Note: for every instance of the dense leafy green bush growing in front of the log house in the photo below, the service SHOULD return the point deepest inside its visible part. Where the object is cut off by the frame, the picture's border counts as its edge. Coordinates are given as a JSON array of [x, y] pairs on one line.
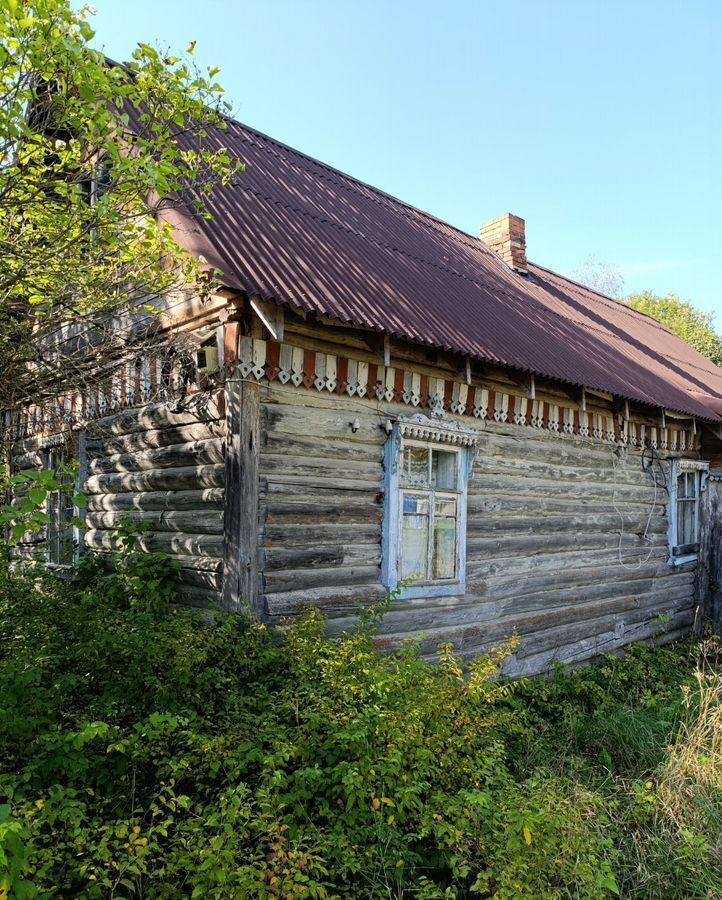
[[146, 753]]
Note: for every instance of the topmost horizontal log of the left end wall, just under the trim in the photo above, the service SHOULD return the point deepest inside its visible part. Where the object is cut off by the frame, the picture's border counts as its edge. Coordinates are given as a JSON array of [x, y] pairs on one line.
[[197, 408]]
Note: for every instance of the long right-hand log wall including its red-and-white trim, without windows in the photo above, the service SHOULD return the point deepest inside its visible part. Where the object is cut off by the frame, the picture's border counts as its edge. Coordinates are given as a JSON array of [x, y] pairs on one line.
[[545, 506]]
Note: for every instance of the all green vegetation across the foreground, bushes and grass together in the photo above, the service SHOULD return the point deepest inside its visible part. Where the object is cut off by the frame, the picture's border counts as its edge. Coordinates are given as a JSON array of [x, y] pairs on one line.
[[147, 753]]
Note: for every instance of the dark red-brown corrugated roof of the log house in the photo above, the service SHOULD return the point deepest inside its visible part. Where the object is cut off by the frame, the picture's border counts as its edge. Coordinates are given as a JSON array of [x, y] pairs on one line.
[[305, 235]]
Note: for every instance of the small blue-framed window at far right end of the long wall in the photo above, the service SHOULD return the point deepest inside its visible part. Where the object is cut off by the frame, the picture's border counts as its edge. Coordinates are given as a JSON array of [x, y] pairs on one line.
[[687, 480]]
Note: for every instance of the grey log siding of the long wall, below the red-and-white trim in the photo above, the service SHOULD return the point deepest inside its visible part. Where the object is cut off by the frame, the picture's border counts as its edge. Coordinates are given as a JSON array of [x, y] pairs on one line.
[[543, 547]]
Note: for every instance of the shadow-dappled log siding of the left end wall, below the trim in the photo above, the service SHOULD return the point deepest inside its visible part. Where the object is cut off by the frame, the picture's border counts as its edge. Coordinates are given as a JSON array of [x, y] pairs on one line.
[[164, 467]]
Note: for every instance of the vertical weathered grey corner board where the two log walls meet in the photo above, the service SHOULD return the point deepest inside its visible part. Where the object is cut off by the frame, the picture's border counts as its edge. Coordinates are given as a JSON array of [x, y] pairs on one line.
[[240, 588]]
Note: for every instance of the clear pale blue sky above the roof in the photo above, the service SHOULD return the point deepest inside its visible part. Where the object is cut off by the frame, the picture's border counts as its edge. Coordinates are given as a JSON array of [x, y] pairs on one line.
[[598, 121]]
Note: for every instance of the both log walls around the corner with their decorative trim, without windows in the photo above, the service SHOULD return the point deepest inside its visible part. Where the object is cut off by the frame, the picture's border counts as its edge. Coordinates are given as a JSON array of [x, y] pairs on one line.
[[300, 483]]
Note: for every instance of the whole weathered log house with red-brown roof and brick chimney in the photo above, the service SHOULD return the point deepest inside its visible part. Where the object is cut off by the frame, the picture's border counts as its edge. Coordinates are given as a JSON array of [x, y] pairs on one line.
[[381, 400]]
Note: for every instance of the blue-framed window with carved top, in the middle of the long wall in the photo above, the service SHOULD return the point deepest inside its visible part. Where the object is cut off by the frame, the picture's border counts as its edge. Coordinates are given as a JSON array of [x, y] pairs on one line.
[[427, 470]]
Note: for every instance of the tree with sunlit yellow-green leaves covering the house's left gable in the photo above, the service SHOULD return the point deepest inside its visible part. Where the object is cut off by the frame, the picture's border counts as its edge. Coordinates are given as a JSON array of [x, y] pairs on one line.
[[93, 158]]
